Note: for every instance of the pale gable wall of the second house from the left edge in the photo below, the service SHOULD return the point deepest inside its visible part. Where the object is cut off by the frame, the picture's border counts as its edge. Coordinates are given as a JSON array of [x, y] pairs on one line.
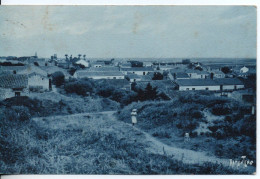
[[38, 81]]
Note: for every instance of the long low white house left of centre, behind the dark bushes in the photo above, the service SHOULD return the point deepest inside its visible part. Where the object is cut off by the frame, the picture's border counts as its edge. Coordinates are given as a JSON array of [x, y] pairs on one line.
[[99, 75]]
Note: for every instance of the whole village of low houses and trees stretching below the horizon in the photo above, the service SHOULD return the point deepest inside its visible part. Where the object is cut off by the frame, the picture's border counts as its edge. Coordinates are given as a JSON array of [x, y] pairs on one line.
[[24, 75]]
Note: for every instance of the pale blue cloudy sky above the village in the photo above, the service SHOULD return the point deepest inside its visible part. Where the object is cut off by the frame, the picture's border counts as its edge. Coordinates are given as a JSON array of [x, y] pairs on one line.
[[129, 31]]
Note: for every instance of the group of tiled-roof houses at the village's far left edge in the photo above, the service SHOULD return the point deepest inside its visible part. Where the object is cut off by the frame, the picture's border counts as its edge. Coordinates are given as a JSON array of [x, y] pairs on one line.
[[19, 80]]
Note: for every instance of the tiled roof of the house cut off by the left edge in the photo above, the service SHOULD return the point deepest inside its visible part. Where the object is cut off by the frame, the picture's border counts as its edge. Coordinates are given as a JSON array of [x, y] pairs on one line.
[[13, 81]]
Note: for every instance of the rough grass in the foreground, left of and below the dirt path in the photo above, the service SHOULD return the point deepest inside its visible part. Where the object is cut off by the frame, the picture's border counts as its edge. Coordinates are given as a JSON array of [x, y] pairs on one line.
[[83, 148]]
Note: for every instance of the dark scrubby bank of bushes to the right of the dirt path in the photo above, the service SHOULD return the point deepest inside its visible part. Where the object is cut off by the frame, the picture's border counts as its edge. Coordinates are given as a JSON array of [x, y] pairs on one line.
[[231, 135]]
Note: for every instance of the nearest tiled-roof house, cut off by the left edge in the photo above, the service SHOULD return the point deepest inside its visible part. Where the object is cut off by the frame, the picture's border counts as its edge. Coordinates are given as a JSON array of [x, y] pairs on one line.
[[13, 85]]
